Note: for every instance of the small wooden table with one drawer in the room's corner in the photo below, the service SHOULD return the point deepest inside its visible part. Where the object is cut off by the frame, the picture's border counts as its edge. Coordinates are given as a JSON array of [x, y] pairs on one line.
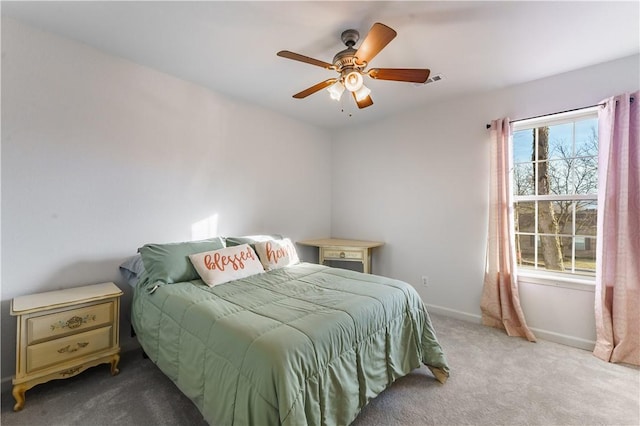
[[344, 250]]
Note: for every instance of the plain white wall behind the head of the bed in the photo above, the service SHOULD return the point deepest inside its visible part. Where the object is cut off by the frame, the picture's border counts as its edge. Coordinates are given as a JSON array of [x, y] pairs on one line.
[[100, 156]]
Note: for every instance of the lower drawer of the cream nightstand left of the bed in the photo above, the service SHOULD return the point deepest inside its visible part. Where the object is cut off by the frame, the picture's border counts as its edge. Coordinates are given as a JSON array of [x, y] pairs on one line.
[[66, 348]]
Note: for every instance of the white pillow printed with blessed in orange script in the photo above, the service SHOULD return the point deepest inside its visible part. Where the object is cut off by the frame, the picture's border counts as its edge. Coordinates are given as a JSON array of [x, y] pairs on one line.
[[227, 264]]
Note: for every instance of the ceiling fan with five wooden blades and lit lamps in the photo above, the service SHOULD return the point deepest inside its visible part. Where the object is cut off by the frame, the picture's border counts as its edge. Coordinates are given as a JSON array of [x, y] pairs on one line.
[[350, 64]]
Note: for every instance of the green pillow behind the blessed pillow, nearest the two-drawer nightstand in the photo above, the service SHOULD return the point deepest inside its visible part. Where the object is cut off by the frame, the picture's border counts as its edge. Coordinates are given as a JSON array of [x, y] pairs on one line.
[[169, 263]]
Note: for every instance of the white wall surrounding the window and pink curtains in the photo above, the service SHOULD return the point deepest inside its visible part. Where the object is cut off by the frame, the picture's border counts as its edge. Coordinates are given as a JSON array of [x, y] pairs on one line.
[[419, 182]]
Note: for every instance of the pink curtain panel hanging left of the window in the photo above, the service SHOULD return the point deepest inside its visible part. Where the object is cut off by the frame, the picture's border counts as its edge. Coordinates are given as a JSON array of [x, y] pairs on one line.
[[500, 303]]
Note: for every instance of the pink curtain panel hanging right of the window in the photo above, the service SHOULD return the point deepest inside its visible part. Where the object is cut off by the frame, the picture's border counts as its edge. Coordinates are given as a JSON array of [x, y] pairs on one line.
[[617, 304]]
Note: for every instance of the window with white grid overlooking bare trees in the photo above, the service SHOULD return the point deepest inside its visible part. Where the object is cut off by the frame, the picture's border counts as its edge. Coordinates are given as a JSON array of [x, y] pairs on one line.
[[555, 185]]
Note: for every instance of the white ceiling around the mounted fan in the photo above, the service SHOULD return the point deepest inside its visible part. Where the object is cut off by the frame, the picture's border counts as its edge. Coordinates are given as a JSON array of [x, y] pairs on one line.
[[230, 47]]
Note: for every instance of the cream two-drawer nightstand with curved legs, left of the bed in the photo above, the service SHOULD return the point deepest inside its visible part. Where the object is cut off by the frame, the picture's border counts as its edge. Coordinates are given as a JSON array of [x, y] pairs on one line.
[[62, 333]]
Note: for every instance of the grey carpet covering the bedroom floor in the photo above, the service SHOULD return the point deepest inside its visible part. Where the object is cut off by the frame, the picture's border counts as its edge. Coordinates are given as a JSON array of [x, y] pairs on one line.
[[495, 380]]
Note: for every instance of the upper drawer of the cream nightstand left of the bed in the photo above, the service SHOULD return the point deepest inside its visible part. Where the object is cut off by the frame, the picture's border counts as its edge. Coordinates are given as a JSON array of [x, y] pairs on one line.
[[72, 321]]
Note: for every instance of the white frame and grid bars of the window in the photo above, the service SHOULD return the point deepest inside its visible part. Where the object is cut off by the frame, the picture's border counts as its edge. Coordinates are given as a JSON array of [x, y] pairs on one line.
[[538, 275]]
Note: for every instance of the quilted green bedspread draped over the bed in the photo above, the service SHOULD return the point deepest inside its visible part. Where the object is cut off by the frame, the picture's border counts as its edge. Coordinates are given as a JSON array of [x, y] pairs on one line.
[[306, 344]]
